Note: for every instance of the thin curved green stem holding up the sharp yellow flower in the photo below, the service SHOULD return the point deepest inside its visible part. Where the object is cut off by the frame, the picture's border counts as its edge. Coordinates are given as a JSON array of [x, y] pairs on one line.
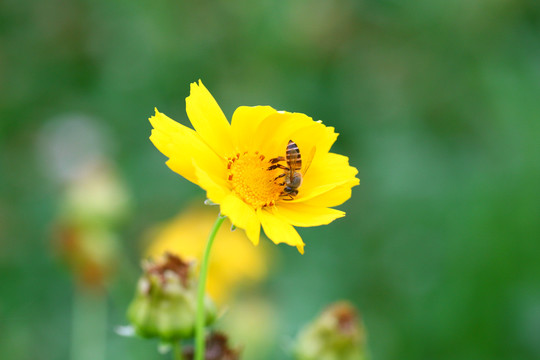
[[199, 327]]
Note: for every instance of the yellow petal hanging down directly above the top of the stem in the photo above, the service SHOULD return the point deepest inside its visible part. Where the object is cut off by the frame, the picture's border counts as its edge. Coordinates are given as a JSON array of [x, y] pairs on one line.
[[242, 216]]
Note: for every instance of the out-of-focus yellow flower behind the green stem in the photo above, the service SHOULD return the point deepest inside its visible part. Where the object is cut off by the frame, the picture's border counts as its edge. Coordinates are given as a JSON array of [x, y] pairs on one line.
[[233, 262]]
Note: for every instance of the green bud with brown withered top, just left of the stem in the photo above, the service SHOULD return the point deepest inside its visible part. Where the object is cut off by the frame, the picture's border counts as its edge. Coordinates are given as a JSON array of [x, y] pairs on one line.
[[165, 303]]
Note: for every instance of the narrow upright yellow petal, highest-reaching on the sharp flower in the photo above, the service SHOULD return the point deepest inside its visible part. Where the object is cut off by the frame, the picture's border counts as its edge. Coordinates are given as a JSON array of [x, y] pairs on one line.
[[208, 120]]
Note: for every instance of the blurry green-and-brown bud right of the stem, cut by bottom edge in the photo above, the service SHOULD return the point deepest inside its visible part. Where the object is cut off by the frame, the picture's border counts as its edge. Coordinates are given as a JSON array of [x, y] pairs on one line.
[[336, 334]]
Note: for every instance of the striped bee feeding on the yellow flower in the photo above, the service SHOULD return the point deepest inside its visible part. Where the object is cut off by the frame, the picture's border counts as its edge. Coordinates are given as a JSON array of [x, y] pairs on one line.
[[293, 173]]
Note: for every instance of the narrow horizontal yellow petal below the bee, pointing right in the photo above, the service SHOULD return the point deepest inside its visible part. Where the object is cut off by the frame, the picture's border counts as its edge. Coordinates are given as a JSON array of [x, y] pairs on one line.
[[300, 214]]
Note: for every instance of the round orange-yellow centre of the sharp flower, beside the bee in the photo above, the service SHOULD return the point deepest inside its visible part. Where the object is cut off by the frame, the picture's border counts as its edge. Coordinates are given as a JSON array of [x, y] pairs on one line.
[[252, 181]]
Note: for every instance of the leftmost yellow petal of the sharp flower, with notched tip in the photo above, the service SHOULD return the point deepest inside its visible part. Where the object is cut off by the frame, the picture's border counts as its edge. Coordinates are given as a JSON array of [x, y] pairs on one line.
[[181, 145]]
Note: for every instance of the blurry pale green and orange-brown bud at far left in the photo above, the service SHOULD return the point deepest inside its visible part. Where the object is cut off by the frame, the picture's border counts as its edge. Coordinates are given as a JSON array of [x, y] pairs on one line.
[[84, 233]]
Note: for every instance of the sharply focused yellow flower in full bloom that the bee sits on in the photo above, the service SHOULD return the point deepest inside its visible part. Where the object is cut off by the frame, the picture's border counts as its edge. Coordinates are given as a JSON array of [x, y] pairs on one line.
[[231, 162]]
